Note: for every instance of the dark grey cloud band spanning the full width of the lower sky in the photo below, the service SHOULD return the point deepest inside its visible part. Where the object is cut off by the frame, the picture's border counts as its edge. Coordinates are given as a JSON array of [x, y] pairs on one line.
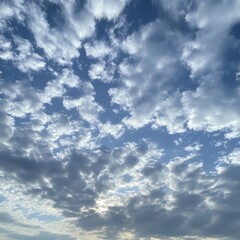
[[191, 202]]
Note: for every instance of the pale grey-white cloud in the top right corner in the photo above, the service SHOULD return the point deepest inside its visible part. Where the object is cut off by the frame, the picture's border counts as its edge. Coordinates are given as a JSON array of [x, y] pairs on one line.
[[213, 34]]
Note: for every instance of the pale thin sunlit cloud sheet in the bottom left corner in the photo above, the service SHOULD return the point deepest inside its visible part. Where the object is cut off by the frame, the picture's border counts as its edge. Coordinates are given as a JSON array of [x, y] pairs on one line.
[[22, 213]]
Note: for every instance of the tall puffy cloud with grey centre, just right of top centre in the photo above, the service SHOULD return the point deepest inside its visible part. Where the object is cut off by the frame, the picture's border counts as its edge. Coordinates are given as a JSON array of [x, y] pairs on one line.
[[146, 90]]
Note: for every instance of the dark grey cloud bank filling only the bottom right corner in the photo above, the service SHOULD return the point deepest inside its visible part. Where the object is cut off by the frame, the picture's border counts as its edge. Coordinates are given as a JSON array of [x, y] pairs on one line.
[[193, 205]]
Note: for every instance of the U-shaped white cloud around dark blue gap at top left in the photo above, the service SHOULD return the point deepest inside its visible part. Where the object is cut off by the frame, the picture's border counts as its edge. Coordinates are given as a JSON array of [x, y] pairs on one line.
[[63, 44]]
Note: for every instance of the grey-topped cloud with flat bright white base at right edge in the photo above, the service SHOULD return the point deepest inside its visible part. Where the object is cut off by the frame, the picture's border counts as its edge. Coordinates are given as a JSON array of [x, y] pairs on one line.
[[211, 107]]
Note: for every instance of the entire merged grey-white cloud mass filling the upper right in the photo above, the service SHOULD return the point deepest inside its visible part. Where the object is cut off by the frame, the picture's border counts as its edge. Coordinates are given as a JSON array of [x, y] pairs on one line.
[[157, 62]]
